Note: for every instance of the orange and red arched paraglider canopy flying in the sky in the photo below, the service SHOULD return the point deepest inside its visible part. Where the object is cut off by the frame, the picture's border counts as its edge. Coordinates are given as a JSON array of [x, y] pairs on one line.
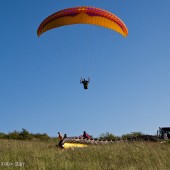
[[83, 15]]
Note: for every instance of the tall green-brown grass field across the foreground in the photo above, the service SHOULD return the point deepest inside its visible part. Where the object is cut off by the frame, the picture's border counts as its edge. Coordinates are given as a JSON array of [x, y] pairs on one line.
[[34, 155]]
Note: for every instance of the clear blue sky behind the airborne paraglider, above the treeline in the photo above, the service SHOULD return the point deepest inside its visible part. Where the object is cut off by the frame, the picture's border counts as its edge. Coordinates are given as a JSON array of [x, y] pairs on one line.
[[130, 77]]
